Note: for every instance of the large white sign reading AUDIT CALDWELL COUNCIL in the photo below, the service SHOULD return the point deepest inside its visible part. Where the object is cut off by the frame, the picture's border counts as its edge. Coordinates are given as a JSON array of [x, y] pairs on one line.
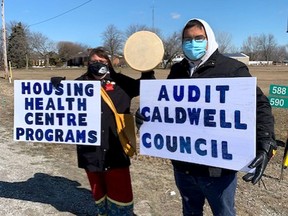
[[203, 121]]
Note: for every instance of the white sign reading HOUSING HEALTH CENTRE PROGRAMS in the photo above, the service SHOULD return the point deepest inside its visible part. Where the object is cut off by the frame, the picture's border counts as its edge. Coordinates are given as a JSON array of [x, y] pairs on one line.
[[70, 113]]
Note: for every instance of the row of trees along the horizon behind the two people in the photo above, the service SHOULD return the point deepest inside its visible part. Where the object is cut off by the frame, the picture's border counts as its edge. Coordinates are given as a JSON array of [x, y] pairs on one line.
[[25, 47]]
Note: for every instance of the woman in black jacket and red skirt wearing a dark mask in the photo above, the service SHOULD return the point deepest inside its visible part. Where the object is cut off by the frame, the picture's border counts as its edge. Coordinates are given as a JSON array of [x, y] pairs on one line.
[[107, 166]]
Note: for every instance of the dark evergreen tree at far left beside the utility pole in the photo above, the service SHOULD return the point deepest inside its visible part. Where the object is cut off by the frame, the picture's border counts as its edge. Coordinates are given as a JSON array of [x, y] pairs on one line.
[[17, 46]]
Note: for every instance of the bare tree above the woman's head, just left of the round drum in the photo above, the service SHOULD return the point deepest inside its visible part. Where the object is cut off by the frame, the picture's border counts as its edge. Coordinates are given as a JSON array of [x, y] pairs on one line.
[[112, 40]]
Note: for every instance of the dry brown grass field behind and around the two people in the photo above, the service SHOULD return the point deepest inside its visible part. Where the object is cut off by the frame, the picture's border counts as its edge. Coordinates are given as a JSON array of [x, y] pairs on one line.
[[153, 178]]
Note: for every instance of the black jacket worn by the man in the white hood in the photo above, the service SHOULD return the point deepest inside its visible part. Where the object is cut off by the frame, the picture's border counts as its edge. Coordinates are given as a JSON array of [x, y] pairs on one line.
[[217, 66]]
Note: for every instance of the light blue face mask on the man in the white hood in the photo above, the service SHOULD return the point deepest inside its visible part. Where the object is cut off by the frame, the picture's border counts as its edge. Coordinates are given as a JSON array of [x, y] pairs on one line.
[[194, 49]]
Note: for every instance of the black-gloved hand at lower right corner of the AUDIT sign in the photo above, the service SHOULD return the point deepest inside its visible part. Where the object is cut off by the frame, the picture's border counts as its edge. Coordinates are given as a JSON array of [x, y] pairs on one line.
[[261, 160]]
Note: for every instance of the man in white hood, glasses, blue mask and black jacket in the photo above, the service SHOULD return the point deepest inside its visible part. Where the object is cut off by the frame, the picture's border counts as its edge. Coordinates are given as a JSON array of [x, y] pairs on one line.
[[199, 182]]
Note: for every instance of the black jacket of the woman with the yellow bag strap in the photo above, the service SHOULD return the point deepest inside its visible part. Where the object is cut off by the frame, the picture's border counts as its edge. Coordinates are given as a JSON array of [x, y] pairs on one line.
[[110, 154]]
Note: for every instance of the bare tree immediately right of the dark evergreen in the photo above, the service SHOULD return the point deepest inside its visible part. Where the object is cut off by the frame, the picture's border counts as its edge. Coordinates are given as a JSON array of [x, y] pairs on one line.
[[41, 45]]
